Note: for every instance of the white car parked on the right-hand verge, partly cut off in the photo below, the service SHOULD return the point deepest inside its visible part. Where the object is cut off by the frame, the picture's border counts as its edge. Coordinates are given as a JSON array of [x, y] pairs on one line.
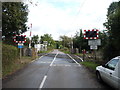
[[110, 72]]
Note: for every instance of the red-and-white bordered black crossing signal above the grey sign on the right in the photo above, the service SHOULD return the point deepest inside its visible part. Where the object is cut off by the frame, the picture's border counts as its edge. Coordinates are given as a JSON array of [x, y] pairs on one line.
[[91, 34]]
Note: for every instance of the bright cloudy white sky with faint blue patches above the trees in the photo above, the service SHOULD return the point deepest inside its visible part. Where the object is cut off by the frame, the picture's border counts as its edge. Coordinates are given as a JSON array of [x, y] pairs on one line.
[[66, 17]]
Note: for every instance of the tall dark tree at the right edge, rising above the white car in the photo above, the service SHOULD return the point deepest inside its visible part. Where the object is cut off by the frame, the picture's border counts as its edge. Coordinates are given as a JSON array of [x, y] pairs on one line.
[[112, 48]]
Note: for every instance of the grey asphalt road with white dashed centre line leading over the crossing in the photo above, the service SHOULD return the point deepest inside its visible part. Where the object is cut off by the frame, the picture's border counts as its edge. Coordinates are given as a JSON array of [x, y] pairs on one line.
[[53, 70]]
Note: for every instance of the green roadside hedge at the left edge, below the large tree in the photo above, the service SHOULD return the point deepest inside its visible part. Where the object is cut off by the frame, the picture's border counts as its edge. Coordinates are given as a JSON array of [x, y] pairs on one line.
[[9, 54]]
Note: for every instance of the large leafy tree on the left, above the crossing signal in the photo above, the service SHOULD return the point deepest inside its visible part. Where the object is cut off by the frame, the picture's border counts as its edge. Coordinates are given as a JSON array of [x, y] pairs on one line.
[[14, 17]]
